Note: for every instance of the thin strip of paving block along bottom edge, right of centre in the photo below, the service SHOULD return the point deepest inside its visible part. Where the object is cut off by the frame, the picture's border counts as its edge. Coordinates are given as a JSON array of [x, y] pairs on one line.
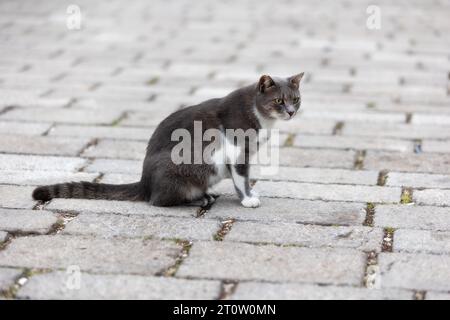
[[294, 291]]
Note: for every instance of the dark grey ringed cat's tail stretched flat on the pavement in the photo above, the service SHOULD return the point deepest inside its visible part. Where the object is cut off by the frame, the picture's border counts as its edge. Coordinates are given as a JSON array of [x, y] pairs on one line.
[[89, 190]]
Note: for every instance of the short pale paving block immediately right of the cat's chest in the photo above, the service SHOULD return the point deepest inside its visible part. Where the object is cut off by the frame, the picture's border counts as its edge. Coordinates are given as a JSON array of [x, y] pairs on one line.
[[319, 158]]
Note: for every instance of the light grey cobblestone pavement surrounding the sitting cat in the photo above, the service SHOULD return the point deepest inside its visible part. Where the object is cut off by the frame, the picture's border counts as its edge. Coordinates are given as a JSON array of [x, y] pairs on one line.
[[359, 210]]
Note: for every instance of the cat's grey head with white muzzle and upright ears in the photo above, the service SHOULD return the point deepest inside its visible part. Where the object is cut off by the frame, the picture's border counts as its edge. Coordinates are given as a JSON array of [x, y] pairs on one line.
[[278, 98]]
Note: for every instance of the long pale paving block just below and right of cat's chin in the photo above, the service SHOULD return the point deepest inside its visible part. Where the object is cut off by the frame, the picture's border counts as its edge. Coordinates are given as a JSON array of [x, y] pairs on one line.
[[362, 143]]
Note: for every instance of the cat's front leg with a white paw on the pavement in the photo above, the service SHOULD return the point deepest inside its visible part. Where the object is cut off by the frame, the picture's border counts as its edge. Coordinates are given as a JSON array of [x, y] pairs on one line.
[[240, 175]]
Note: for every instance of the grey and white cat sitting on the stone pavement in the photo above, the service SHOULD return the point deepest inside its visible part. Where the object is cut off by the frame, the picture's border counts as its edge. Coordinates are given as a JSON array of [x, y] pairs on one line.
[[165, 183]]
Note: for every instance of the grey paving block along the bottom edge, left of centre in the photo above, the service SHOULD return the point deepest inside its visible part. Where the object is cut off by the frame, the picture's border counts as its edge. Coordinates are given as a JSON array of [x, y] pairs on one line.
[[117, 287]]
